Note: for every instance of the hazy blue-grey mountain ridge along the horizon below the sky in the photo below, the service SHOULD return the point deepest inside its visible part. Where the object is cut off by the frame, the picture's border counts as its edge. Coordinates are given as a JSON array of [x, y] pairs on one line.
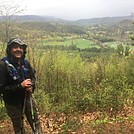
[[92, 21]]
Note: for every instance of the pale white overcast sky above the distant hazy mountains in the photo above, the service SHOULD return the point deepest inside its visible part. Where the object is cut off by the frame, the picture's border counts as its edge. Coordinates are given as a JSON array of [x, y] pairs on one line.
[[78, 9]]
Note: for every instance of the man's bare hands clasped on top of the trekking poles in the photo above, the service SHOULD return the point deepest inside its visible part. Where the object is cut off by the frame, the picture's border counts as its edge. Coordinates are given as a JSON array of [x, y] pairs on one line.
[[27, 84]]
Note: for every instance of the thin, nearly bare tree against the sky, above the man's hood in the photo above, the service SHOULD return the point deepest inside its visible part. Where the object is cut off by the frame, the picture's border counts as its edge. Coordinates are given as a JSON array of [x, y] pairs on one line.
[[8, 17]]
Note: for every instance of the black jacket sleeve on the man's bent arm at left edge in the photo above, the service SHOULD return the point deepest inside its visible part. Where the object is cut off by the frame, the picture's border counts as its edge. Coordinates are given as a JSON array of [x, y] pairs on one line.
[[4, 87]]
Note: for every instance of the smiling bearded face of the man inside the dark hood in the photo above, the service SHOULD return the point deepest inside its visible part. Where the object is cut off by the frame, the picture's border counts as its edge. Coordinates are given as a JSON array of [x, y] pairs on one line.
[[17, 51]]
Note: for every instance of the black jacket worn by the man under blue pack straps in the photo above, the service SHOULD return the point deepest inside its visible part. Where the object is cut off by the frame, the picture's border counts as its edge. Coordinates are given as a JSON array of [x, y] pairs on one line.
[[12, 91]]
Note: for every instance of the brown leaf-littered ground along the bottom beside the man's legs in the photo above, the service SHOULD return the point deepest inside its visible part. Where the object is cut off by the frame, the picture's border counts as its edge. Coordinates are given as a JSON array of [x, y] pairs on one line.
[[79, 123]]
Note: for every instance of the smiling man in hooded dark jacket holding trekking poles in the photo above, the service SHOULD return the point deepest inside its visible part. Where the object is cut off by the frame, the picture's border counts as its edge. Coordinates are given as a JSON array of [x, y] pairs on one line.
[[17, 84]]
